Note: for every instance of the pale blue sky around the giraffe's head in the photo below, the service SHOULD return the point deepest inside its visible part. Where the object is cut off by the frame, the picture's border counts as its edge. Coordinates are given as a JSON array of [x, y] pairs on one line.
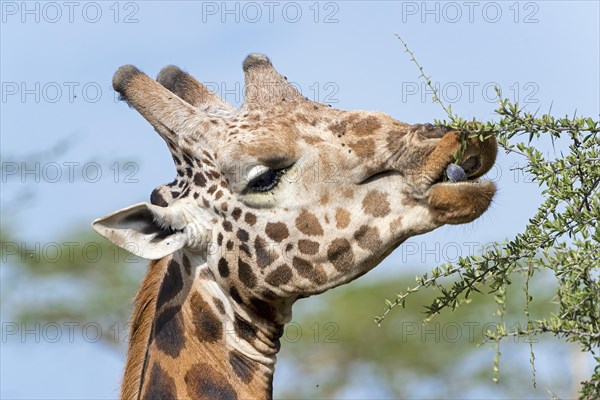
[[542, 54]]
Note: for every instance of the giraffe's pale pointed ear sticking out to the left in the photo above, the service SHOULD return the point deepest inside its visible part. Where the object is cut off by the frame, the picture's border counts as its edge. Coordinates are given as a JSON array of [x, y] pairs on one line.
[[136, 230]]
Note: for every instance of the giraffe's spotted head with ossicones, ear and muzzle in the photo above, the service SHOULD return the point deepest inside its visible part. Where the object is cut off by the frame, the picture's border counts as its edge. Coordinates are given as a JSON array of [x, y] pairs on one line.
[[284, 197]]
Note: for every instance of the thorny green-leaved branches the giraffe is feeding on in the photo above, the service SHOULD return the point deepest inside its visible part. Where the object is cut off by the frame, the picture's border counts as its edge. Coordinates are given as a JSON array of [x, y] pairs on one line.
[[562, 237]]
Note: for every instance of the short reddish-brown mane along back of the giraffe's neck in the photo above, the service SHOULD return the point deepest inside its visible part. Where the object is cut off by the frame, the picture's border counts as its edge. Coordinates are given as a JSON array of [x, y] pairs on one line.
[[140, 323]]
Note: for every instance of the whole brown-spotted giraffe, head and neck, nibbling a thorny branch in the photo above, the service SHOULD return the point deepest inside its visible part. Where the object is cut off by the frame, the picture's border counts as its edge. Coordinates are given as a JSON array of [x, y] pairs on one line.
[[281, 199]]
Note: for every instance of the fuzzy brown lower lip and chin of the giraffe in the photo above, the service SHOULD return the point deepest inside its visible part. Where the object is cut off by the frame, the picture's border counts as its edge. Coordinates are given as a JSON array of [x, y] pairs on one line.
[[460, 202]]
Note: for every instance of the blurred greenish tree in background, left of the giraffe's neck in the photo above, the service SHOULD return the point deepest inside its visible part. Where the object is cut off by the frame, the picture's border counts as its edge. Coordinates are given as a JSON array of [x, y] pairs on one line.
[[80, 278]]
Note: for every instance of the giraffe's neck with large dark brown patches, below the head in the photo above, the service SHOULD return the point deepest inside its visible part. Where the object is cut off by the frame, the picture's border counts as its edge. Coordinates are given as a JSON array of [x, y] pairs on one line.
[[196, 343]]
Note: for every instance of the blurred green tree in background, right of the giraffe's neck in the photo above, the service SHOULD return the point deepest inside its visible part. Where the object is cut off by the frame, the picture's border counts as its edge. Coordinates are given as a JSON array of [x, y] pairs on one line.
[[335, 347]]
